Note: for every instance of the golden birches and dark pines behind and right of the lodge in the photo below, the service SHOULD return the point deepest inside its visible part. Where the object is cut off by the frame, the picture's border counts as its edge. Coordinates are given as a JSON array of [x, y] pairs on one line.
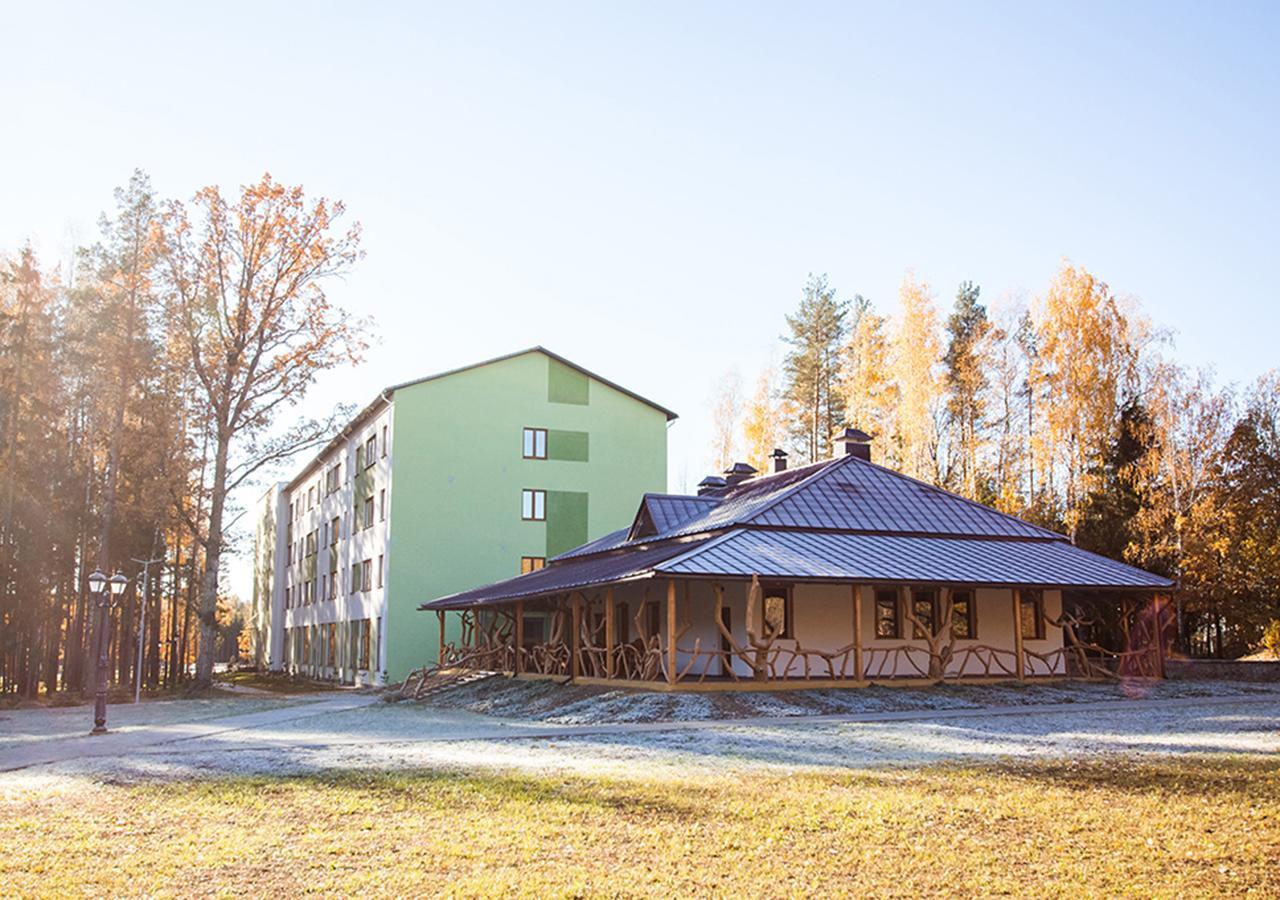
[[1069, 409]]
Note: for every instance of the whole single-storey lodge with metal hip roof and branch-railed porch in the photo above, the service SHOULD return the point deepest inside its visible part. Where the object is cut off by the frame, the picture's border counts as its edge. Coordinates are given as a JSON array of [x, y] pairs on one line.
[[838, 574]]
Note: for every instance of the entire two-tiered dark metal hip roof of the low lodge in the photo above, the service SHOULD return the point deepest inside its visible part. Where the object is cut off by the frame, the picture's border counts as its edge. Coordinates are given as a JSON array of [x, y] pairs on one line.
[[843, 520]]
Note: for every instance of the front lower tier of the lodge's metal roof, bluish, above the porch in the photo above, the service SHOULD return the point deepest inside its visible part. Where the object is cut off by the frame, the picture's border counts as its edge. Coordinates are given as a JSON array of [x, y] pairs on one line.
[[808, 556]]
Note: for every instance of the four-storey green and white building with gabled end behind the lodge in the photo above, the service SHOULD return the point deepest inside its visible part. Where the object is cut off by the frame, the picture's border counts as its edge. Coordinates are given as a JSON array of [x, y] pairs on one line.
[[442, 485]]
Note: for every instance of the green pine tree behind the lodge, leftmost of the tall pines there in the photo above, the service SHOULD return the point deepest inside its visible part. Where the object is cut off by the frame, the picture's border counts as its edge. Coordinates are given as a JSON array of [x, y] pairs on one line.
[[812, 368]]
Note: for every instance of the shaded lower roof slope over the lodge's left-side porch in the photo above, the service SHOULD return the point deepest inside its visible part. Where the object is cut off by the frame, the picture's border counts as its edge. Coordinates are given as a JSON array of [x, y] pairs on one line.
[[569, 575]]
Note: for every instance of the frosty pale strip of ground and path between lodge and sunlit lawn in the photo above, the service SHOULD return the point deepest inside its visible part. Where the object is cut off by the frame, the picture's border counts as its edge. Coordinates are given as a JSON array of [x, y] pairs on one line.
[[327, 733]]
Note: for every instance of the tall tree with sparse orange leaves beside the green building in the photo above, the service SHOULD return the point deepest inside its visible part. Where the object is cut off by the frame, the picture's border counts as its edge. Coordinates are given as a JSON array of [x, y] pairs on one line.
[[245, 291]]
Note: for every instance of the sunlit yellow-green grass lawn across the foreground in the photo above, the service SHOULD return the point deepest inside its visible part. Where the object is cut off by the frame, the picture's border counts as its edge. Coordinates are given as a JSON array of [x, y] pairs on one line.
[[1187, 826]]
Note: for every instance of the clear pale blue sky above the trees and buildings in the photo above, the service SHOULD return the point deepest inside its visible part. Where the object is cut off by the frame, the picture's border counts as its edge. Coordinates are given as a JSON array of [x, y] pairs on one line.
[[646, 189]]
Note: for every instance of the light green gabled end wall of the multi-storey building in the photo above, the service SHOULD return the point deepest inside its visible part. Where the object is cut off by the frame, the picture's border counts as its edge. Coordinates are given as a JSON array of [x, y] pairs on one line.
[[458, 474]]
